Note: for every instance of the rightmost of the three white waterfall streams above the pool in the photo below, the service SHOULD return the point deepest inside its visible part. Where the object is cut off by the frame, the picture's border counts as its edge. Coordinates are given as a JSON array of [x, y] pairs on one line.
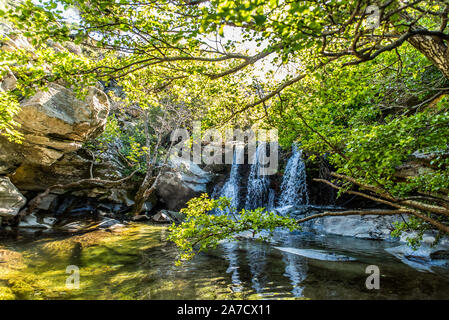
[[294, 185]]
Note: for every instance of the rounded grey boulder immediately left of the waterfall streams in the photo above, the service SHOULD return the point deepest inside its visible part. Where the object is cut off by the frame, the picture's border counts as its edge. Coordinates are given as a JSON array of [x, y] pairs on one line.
[[184, 181]]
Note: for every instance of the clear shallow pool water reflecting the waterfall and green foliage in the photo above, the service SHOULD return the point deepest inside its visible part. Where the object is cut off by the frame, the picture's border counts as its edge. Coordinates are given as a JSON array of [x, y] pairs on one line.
[[138, 263]]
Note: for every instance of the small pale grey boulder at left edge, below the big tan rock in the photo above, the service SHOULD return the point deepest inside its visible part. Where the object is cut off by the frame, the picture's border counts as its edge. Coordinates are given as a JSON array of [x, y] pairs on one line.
[[11, 200]]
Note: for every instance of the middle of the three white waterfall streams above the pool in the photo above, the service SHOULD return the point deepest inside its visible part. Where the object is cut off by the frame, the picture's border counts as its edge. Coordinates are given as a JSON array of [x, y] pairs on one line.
[[259, 193]]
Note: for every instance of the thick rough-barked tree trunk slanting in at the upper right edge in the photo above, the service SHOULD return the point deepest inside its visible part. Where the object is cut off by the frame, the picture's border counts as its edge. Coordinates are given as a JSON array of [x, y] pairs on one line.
[[434, 49]]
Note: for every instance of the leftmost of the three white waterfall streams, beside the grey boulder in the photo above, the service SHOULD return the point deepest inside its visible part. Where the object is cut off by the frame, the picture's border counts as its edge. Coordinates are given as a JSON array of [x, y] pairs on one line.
[[231, 188]]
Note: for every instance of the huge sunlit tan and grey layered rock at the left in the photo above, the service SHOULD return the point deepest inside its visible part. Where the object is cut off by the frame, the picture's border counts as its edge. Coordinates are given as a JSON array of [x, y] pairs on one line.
[[55, 122]]
